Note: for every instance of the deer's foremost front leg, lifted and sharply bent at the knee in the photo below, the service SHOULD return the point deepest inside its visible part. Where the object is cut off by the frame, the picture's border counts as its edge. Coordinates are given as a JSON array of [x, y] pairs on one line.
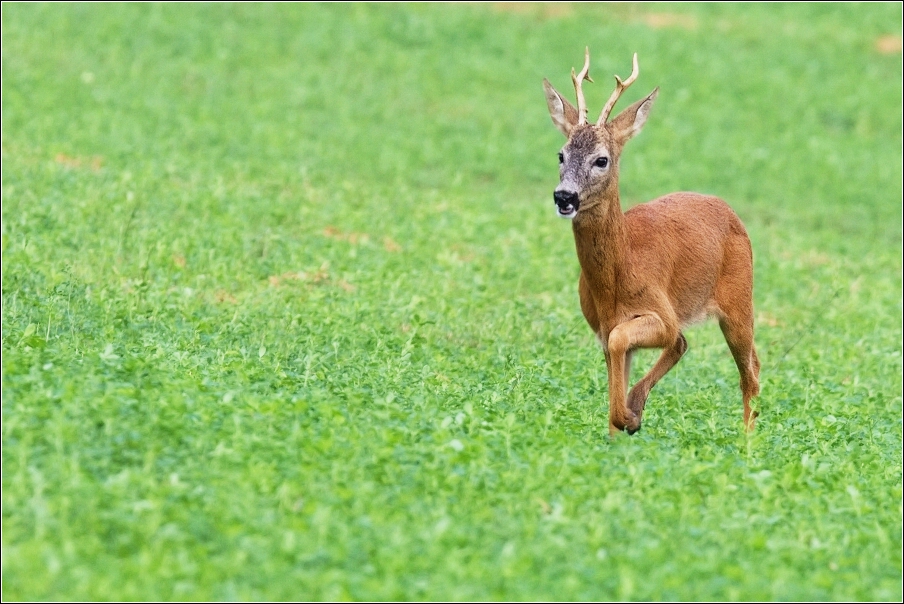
[[645, 331]]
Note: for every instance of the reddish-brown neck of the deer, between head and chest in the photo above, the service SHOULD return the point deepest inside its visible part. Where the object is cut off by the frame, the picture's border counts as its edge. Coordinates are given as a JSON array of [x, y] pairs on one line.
[[601, 238]]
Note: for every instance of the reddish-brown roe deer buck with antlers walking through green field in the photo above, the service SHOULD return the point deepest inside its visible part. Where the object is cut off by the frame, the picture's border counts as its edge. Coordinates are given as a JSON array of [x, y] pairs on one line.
[[648, 273]]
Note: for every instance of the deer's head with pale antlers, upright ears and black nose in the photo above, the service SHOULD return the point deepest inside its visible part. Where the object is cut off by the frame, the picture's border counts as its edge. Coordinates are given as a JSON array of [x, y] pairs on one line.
[[588, 163]]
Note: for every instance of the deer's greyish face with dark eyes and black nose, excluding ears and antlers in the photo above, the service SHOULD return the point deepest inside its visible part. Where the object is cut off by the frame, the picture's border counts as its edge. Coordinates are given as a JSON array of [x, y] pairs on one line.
[[586, 164]]
